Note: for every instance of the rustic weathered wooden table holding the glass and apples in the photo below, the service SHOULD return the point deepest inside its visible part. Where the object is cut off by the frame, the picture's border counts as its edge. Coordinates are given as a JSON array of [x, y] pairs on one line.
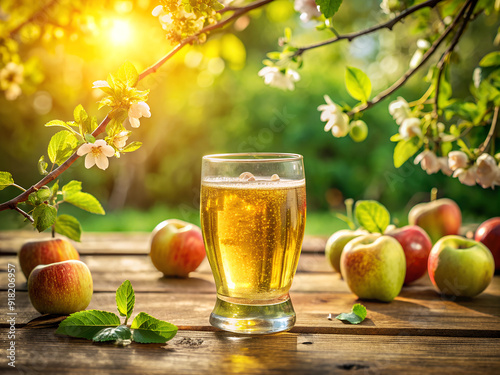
[[419, 332]]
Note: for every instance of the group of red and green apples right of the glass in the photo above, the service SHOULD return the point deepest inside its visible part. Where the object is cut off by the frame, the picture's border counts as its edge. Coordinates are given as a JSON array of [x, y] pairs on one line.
[[377, 259]]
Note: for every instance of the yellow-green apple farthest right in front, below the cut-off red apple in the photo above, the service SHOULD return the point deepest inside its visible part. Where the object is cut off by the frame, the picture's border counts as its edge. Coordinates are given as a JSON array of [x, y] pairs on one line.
[[460, 267]]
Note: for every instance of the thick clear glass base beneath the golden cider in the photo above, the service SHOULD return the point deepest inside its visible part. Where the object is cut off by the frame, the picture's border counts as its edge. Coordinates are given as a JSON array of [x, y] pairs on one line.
[[253, 319]]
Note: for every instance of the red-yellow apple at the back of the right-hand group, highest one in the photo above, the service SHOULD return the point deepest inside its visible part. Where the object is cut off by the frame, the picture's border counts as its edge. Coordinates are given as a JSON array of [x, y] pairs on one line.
[[438, 218]]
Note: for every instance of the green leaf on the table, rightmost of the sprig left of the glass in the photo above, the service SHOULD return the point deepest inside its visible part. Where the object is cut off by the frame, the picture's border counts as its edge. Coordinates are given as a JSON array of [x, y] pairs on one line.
[[148, 329]]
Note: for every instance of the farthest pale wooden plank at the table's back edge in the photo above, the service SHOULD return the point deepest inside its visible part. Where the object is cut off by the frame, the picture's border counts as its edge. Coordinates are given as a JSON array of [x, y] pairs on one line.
[[115, 242]]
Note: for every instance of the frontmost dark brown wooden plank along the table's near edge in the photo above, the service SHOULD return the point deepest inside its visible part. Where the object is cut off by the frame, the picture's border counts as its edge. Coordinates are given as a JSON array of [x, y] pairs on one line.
[[190, 352]]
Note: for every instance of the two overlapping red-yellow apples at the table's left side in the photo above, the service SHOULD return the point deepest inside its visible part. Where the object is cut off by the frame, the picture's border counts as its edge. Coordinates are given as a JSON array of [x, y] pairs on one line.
[[58, 282]]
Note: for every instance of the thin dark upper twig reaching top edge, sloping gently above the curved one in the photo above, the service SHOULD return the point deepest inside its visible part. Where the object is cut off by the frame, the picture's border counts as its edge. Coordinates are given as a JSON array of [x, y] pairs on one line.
[[386, 25]]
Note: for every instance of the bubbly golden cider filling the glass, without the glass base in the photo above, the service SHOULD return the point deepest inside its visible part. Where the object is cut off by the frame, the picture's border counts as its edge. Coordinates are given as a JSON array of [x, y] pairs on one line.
[[253, 234]]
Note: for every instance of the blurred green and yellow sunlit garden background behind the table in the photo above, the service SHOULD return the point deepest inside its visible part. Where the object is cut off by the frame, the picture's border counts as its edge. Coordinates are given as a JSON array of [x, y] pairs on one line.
[[209, 99]]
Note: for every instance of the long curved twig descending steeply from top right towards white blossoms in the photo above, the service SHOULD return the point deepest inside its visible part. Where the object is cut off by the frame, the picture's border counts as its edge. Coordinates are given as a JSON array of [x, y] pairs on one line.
[[382, 95]]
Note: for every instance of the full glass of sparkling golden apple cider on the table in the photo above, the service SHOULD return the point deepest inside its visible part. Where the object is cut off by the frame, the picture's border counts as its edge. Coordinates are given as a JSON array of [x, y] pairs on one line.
[[253, 213]]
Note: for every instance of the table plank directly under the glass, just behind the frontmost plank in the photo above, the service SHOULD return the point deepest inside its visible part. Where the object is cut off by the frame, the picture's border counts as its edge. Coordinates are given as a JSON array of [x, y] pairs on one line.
[[425, 314]]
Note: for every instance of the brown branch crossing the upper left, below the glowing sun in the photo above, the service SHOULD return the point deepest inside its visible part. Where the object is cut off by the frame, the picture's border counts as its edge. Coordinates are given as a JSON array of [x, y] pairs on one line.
[[12, 204]]
